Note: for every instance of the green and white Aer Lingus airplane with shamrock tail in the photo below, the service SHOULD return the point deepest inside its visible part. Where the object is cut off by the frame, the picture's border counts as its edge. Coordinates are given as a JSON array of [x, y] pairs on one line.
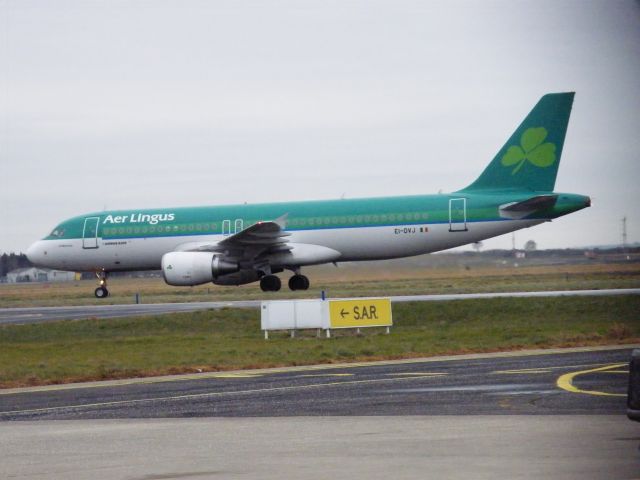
[[240, 244]]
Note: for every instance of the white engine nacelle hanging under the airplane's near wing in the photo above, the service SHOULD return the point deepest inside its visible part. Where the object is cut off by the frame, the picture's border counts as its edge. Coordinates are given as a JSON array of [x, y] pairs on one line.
[[194, 268]]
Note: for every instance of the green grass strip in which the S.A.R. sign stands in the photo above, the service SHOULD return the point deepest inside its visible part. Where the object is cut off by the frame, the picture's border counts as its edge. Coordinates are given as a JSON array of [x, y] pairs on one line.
[[230, 339]]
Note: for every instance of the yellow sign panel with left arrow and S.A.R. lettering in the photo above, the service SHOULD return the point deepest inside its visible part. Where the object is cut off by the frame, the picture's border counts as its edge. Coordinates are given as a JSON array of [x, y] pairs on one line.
[[362, 312]]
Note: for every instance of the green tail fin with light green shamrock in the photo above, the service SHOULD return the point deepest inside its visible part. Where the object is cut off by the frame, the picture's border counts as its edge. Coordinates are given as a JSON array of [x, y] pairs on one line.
[[530, 159]]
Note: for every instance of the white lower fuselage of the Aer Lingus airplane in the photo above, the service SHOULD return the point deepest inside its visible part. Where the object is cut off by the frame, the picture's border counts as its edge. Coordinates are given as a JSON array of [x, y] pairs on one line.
[[354, 244]]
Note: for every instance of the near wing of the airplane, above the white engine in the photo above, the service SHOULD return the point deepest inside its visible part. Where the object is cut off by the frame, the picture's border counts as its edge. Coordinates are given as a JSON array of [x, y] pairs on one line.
[[262, 238]]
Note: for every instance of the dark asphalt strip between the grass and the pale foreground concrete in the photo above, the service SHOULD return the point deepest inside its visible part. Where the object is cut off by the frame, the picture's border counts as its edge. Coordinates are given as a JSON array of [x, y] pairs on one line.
[[533, 383]]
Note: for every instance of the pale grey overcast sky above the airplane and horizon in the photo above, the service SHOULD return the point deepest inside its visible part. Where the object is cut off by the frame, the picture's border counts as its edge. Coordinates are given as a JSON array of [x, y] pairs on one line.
[[135, 104]]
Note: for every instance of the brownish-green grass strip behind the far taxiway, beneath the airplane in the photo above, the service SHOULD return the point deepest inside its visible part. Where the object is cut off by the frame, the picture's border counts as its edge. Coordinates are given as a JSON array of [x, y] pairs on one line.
[[346, 281]]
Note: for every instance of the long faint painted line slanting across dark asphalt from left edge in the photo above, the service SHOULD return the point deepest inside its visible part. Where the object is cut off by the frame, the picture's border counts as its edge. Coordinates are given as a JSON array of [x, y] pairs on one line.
[[205, 395]]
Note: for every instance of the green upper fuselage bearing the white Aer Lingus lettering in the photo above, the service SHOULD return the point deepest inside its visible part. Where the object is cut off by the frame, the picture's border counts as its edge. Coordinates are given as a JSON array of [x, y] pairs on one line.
[[310, 215]]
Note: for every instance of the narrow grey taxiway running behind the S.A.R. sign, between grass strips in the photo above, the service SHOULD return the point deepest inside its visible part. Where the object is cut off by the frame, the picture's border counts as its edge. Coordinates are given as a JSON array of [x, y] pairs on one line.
[[48, 314]]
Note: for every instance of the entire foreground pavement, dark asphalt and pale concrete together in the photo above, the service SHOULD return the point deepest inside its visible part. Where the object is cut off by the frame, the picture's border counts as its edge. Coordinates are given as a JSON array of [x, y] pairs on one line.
[[526, 415]]
